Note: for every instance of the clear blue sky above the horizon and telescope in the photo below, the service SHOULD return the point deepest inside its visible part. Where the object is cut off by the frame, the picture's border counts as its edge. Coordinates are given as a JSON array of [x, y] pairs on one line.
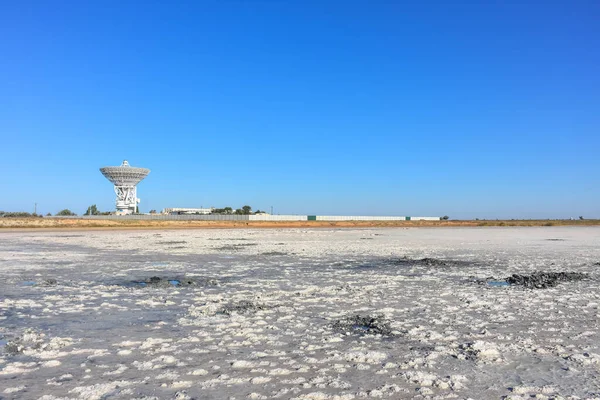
[[485, 109]]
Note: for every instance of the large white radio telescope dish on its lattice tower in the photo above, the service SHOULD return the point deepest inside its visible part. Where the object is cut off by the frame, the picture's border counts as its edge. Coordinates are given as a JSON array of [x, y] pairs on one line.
[[125, 178]]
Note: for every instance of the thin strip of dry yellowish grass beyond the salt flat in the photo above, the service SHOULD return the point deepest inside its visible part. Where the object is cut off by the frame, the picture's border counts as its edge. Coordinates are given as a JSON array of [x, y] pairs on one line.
[[57, 223]]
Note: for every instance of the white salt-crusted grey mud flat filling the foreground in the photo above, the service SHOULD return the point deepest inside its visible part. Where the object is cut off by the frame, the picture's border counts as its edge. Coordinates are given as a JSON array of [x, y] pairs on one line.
[[262, 314]]
